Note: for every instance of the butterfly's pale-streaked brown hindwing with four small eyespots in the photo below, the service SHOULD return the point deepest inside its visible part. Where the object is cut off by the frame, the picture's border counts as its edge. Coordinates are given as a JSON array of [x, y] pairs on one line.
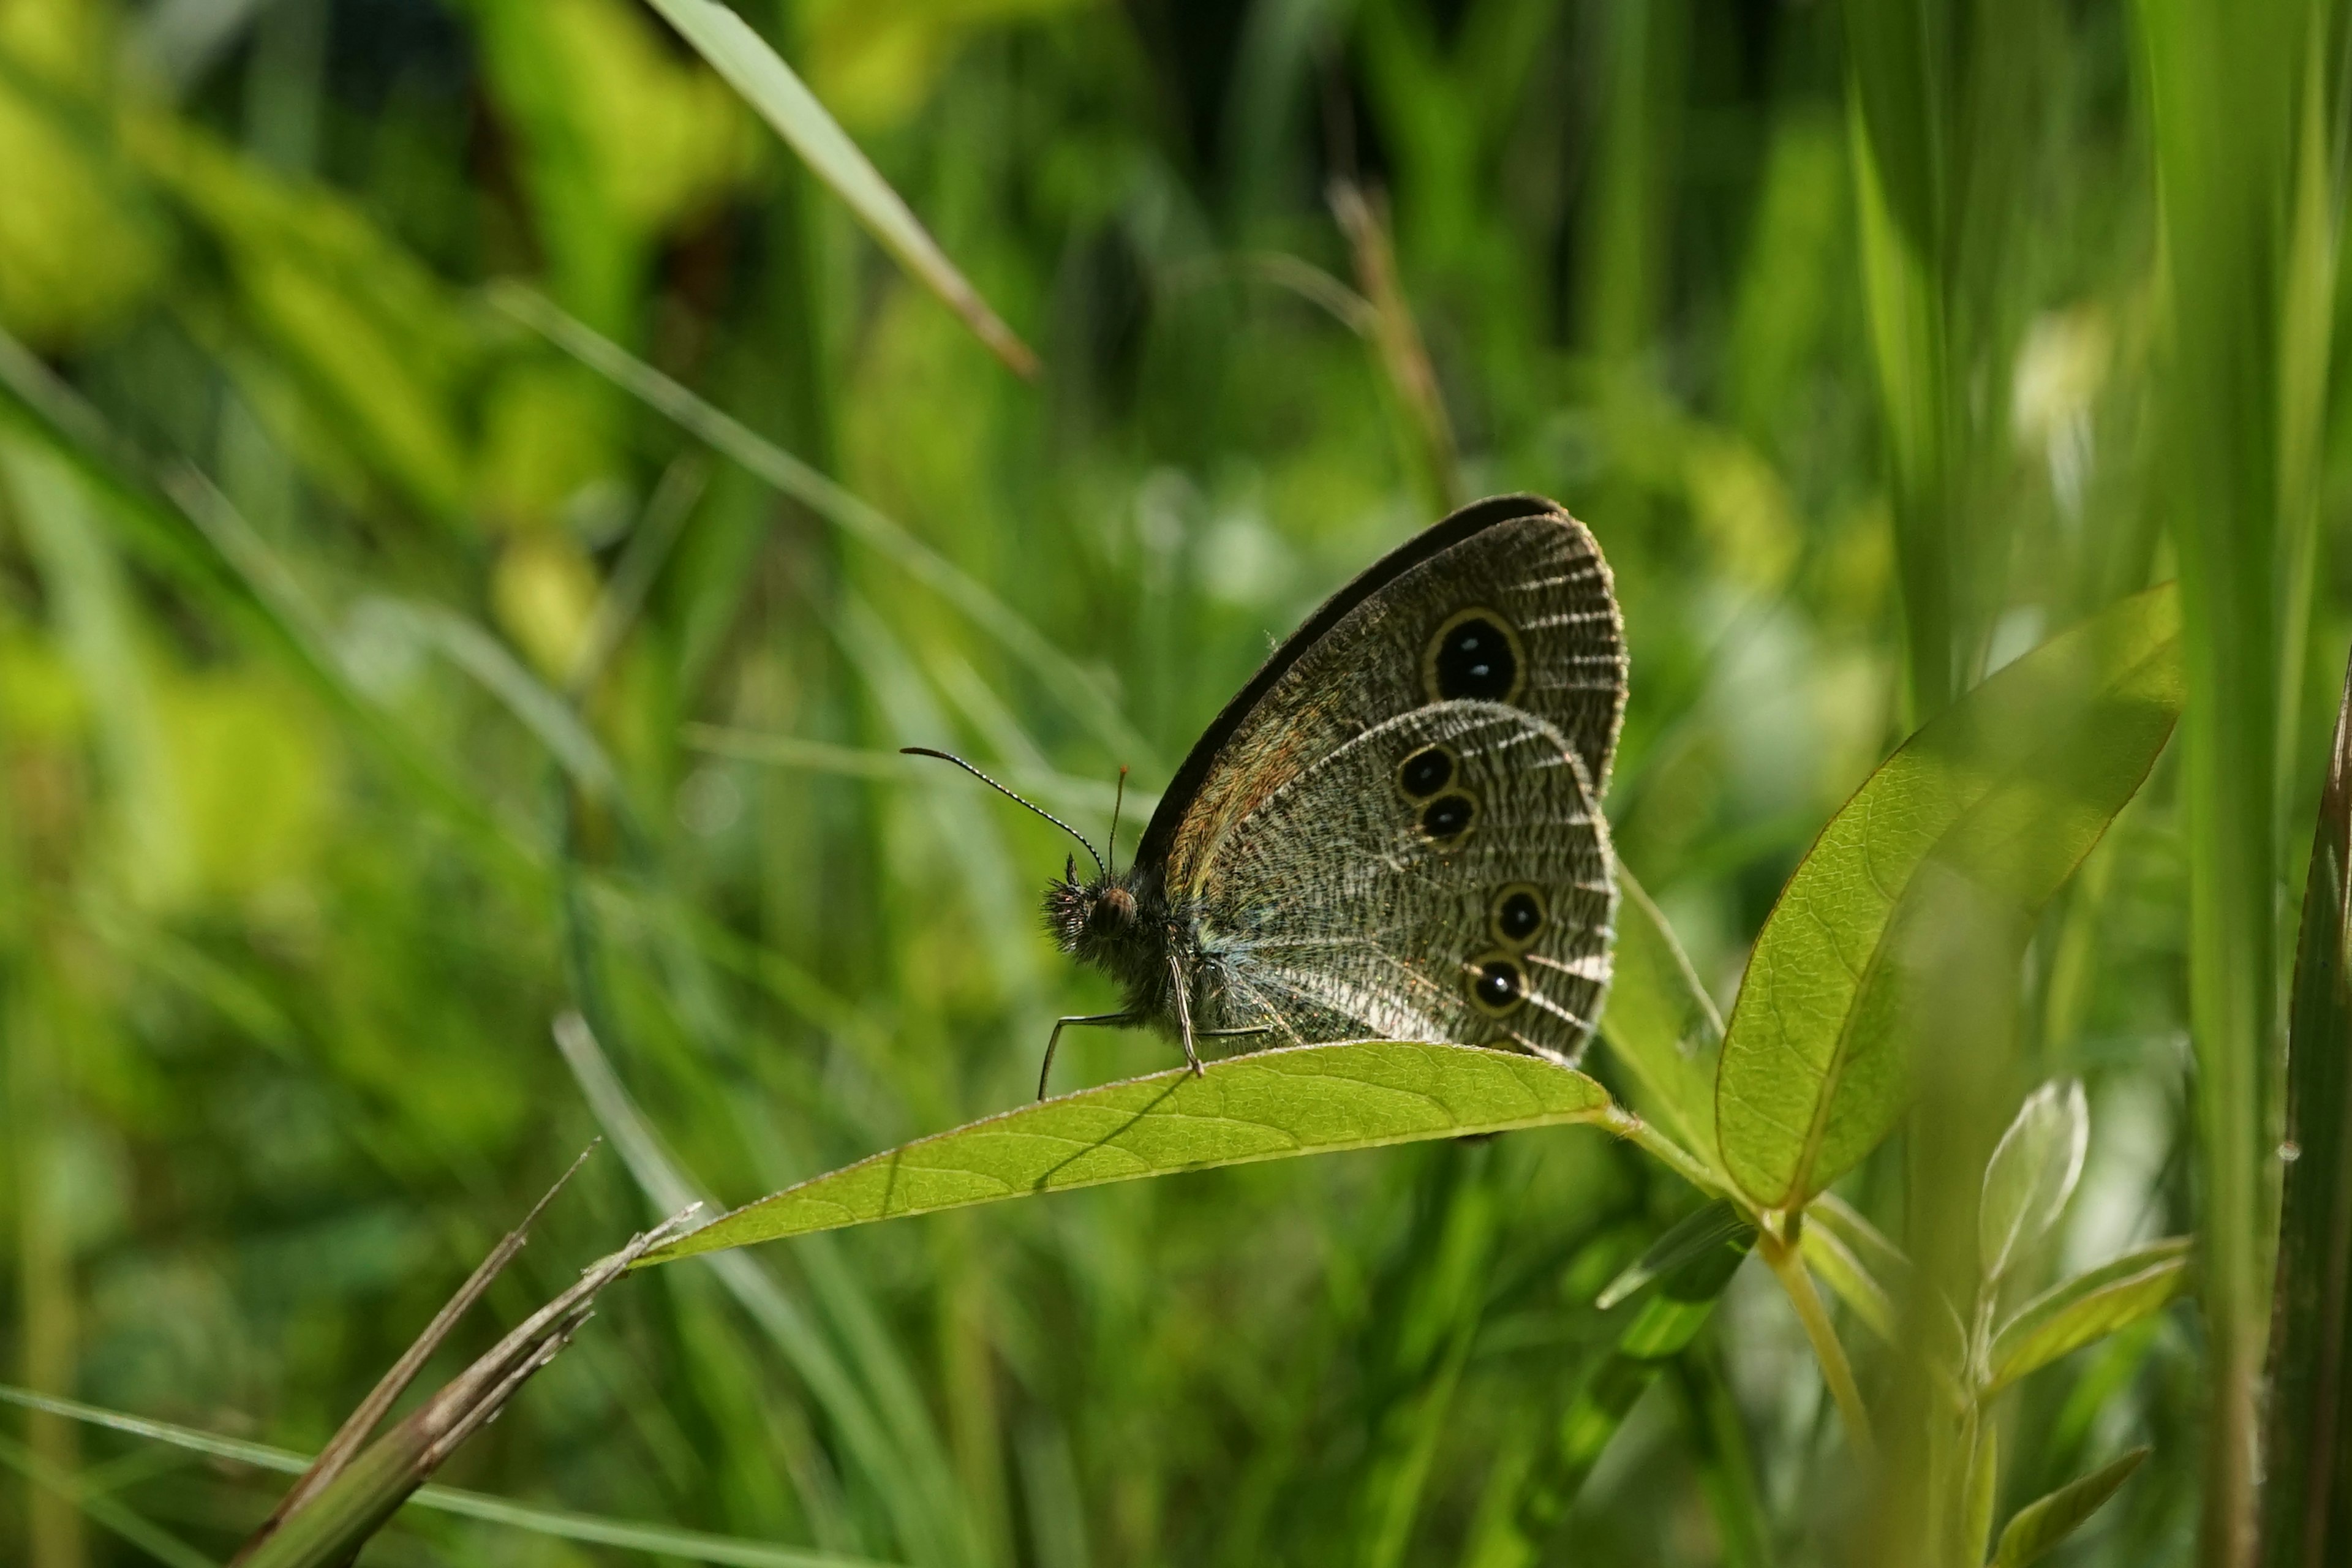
[[1443, 876]]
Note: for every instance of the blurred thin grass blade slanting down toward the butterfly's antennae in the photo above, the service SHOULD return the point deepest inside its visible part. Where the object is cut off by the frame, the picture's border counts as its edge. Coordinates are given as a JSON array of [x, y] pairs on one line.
[[728, 436]]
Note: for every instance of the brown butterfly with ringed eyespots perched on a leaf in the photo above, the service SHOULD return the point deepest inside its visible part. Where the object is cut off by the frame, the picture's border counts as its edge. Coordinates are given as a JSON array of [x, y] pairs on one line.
[[1394, 831]]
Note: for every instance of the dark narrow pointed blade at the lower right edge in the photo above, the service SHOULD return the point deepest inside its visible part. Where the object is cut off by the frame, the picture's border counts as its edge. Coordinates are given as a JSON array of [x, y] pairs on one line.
[[2308, 1485]]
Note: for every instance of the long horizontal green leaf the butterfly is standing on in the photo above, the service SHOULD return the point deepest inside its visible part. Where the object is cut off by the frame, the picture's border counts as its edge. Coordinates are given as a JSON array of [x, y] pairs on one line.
[[1245, 1108]]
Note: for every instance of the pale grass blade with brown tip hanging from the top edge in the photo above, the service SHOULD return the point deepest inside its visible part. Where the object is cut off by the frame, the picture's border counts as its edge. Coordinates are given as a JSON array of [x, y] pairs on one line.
[[756, 72]]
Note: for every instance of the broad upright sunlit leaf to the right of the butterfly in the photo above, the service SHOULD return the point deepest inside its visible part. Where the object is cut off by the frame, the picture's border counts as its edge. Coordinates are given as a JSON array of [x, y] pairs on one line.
[[1998, 800]]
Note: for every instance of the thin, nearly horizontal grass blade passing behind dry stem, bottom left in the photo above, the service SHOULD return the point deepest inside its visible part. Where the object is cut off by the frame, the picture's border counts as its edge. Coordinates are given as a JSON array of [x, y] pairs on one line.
[[561, 1525]]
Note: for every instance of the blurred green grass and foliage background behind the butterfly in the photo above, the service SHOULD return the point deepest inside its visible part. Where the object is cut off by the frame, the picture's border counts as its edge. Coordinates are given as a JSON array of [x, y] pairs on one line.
[[377, 683]]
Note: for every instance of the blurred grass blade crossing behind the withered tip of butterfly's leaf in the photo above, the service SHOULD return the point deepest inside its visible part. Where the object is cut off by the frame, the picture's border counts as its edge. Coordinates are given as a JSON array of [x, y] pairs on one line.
[[902, 1456]]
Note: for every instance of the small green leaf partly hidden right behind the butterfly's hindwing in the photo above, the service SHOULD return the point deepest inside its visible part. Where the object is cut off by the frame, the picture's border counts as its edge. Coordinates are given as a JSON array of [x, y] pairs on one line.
[[1662, 1026]]
